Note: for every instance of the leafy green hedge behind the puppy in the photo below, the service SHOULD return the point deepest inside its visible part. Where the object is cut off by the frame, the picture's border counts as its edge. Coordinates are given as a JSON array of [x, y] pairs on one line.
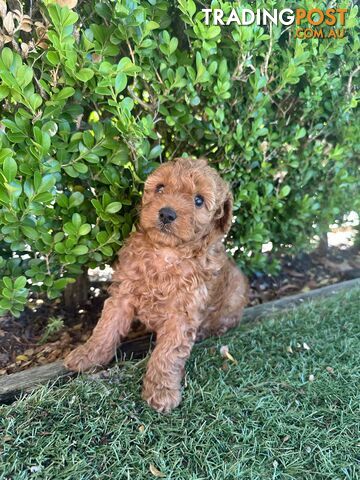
[[93, 99]]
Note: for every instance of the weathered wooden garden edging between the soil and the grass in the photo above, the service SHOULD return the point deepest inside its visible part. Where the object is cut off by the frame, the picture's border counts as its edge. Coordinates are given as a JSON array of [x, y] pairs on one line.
[[11, 386]]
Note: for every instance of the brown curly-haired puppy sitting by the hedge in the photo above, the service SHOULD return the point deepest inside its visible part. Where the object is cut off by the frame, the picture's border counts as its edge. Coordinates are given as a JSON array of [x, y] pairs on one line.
[[173, 275]]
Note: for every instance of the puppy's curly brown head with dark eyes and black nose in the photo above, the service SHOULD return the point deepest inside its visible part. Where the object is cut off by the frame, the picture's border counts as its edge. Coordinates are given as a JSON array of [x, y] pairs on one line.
[[185, 201]]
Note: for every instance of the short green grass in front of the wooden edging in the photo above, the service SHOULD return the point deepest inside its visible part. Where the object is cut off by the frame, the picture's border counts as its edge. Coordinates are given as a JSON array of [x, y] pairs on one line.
[[259, 419]]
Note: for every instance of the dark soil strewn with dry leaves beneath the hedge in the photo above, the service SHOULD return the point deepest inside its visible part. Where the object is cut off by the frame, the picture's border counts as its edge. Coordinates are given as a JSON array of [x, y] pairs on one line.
[[24, 342]]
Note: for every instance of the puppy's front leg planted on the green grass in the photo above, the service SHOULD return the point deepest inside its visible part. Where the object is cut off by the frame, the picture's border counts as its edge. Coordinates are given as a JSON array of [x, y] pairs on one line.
[[166, 366]]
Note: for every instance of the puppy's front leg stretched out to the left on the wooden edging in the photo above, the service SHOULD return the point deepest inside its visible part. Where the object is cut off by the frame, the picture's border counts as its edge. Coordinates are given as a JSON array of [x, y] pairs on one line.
[[113, 325]]
